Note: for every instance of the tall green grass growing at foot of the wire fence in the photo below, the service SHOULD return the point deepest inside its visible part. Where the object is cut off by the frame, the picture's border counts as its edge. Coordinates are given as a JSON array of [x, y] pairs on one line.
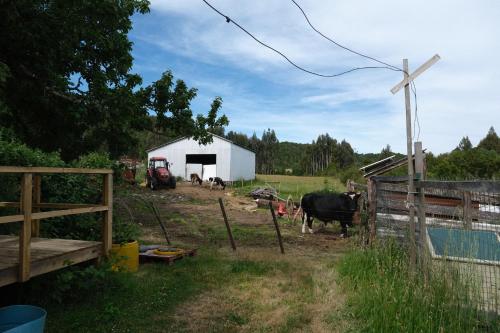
[[384, 296]]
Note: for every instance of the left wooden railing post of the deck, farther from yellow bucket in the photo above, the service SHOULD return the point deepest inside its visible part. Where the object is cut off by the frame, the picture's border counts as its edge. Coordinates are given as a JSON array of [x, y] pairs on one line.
[[25, 233]]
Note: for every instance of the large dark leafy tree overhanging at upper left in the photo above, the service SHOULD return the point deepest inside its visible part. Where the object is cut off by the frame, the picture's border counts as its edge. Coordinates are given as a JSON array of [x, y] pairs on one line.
[[65, 80]]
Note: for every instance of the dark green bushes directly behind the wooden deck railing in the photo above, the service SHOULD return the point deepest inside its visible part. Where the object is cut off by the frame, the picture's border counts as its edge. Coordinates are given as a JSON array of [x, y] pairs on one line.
[[59, 188]]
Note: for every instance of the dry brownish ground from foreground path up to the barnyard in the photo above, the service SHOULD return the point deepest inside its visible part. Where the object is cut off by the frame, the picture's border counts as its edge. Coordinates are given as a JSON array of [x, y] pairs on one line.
[[305, 297]]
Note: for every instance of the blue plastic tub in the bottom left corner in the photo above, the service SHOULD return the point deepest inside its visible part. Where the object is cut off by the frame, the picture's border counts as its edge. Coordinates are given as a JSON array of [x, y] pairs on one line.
[[22, 319]]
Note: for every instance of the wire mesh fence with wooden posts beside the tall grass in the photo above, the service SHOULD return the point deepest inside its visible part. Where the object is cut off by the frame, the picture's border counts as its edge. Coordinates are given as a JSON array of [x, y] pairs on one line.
[[456, 232]]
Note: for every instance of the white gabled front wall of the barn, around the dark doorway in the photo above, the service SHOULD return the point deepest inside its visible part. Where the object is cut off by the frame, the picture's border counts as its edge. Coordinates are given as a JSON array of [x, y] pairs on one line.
[[176, 155]]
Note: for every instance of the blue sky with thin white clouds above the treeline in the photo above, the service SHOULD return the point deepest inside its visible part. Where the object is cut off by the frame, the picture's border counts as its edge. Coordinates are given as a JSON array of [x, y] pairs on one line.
[[458, 96]]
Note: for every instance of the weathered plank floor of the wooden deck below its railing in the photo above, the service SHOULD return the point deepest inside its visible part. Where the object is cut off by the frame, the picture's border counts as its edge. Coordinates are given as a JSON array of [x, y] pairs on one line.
[[46, 255]]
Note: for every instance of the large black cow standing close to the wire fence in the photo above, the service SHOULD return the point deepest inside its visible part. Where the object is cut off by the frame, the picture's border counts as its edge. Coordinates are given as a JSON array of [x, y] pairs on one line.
[[328, 207]]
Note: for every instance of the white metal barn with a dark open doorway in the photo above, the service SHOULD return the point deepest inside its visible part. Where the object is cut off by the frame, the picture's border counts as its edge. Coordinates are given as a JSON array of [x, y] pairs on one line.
[[221, 158]]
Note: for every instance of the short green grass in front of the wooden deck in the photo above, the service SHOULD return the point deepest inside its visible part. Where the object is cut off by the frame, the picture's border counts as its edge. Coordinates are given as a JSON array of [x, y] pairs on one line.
[[147, 301]]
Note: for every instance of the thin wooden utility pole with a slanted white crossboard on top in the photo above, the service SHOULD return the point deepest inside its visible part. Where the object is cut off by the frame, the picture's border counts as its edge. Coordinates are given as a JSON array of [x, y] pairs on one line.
[[407, 79]]
